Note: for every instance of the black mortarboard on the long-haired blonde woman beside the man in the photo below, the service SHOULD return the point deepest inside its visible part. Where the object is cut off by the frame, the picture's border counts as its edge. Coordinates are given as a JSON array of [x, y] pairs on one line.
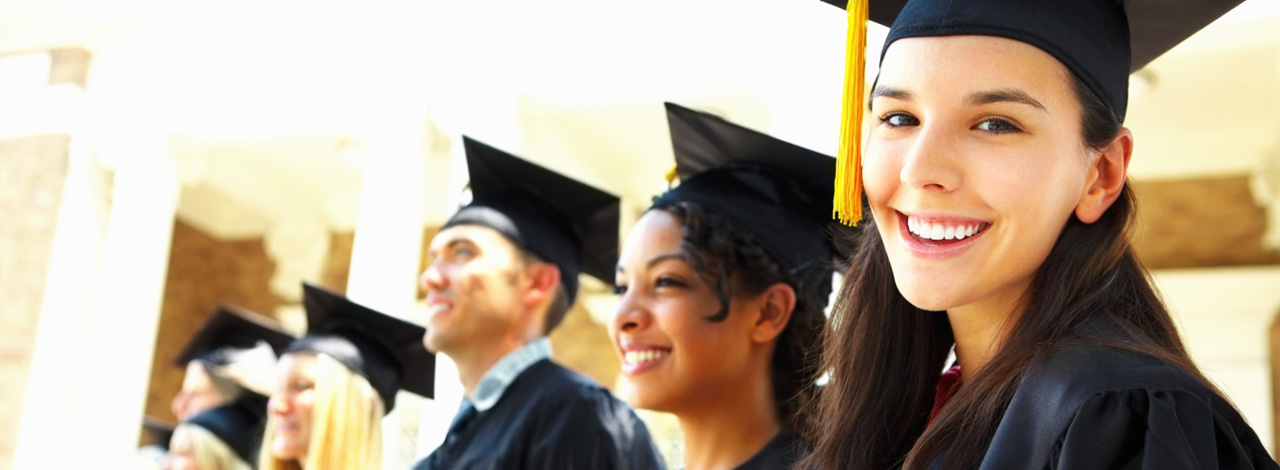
[[385, 350]]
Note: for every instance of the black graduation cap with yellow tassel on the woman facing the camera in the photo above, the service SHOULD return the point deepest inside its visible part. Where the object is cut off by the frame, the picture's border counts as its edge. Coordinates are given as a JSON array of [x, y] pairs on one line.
[[1100, 42]]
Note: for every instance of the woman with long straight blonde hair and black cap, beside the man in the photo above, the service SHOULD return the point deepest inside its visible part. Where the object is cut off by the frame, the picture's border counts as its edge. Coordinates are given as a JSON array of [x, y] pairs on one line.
[[335, 386]]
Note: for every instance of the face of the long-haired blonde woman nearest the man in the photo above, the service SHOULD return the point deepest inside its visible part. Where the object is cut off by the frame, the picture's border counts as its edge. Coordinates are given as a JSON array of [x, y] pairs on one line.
[[291, 407]]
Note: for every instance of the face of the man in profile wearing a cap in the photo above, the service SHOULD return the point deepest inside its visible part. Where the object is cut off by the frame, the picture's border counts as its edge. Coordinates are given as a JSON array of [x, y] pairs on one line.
[[473, 289]]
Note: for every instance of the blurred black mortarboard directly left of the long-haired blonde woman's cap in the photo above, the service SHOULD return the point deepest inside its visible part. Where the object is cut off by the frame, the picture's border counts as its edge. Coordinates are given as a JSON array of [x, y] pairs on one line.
[[231, 331]]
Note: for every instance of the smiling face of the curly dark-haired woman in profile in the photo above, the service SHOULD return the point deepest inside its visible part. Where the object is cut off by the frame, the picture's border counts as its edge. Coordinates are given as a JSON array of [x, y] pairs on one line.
[[673, 357]]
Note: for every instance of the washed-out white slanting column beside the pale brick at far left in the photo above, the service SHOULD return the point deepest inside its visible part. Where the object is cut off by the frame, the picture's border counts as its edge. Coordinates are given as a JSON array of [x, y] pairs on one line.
[[98, 325]]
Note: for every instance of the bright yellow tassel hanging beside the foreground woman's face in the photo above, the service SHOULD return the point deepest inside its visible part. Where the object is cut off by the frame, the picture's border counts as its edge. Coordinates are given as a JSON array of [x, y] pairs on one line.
[[849, 170]]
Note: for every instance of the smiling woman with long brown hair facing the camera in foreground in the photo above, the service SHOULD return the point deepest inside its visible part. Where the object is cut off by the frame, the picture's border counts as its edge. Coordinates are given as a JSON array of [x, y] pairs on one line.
[[995, 172]]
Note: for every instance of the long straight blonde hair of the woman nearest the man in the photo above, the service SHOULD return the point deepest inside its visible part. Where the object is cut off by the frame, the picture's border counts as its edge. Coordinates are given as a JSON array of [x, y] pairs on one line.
[[346, 423]]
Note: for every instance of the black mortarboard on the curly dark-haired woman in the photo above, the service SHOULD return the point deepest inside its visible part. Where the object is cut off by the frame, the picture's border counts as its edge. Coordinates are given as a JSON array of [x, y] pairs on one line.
[[776, 191]]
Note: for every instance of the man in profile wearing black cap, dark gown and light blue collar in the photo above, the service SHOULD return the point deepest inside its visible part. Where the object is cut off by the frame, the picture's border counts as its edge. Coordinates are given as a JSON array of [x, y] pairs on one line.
[[502, 275]]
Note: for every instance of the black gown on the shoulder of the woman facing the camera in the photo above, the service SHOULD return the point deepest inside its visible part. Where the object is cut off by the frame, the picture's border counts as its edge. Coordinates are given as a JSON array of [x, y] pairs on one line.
[[1092, 408]]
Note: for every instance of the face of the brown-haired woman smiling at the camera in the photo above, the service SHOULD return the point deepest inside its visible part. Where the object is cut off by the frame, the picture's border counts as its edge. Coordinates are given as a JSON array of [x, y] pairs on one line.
[[973, 166]]
